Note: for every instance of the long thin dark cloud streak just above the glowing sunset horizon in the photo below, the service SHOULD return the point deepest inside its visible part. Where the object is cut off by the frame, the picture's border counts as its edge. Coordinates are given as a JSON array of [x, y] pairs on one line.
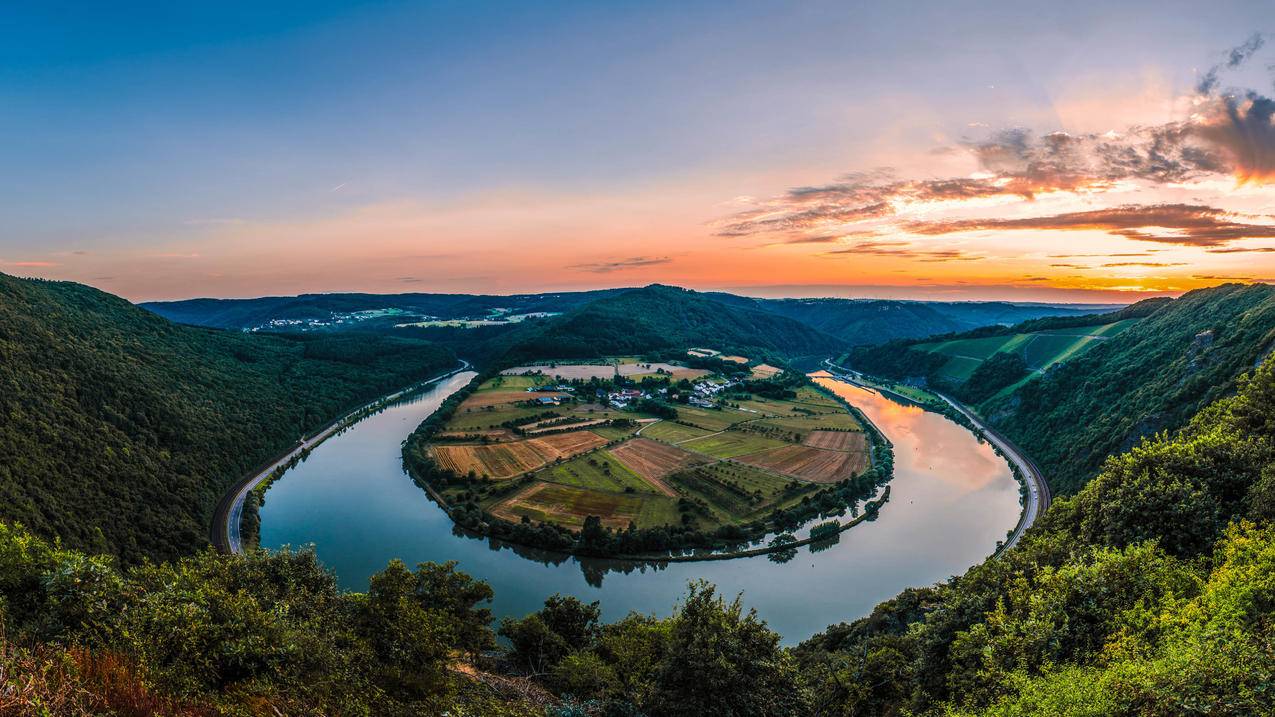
[[1190, 225]]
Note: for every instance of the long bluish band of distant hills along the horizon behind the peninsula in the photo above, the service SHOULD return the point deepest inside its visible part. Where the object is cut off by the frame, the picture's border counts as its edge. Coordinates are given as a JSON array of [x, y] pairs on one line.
[[851, 322]]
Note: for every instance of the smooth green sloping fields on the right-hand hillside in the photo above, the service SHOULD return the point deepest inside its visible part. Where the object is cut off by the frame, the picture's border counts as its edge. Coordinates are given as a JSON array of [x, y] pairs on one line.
[[1040, 350]]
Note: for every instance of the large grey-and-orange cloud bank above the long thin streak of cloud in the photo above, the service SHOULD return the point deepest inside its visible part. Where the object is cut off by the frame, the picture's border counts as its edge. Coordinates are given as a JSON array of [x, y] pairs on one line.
[[1228, 135]]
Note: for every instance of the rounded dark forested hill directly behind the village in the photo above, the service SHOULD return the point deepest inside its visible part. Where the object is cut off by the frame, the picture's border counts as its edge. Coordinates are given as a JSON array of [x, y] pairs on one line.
[[662, 317]]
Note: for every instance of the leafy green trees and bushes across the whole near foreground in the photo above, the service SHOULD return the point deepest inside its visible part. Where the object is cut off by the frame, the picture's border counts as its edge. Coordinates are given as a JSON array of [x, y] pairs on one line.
[[1149, 593]]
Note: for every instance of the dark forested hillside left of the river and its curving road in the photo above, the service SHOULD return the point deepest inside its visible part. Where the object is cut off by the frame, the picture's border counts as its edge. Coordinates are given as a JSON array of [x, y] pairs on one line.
[[122, 429]]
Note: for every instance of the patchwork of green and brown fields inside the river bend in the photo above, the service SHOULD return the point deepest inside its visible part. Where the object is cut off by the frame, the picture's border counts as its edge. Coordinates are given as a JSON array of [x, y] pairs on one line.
[[707, 468]]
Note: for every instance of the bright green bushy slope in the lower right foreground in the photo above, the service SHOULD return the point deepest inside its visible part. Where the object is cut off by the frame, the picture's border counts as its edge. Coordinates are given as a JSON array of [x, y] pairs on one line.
[[1149, 593]]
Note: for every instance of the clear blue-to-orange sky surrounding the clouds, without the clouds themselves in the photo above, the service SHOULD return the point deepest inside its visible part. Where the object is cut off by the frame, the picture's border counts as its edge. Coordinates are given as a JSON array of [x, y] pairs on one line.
[[423, 141]]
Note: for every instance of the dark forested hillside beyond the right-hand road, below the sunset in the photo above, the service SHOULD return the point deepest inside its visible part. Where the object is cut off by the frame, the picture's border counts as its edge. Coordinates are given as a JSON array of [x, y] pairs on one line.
[[1171, 359]]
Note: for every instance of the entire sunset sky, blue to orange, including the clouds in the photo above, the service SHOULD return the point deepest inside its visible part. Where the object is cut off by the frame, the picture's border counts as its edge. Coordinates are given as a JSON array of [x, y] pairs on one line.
[[1038, 152]]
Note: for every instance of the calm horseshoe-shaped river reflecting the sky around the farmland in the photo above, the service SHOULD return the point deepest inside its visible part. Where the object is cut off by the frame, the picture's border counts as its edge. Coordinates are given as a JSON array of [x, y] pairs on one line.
[[953, 498]]
